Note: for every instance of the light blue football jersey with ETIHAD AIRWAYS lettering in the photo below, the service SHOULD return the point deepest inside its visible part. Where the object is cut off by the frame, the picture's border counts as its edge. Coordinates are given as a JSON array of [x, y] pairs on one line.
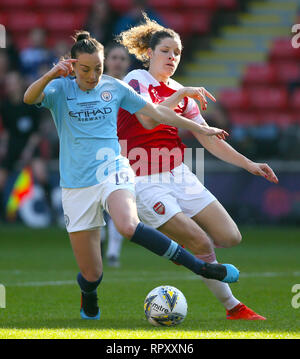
[[86, 123]]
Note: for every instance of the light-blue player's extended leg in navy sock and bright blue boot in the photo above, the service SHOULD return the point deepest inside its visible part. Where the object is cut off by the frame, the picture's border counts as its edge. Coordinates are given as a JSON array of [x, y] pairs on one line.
[[122, 208]]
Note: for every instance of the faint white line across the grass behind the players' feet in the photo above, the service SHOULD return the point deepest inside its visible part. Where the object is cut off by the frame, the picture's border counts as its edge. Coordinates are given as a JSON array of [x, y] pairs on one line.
[[165, 278]]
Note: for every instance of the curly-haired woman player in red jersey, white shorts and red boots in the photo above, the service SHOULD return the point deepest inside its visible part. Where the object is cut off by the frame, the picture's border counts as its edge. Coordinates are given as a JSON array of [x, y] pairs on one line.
[[169, 196]]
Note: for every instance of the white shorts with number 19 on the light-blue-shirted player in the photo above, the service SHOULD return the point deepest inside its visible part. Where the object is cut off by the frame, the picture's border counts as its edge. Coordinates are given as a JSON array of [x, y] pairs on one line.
[[83, 207]]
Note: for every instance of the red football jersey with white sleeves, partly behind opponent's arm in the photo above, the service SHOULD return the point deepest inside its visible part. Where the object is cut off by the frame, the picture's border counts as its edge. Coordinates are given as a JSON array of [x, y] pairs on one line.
[[159, 149]]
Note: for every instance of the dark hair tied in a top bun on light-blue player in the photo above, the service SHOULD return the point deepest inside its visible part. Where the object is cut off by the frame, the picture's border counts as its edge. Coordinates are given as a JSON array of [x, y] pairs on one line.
[[84, 43]]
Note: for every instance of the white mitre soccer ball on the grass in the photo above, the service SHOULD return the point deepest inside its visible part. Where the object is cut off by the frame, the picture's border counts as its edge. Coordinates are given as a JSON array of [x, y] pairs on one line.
[[165, 306]]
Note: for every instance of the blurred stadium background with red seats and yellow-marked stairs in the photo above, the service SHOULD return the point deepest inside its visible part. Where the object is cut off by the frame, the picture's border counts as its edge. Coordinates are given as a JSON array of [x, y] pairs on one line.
[[240, 50]]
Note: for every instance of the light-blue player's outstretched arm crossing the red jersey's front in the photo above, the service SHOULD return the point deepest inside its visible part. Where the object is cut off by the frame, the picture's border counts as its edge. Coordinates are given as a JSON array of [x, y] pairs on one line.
[[167, 116]]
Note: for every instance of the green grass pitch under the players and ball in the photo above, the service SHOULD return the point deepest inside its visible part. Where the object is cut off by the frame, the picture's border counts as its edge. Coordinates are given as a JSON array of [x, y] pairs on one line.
[[38, 270]]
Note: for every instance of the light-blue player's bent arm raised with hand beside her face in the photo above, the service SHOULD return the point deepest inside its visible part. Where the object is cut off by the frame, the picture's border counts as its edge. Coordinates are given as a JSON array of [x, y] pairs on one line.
[[34, 94]]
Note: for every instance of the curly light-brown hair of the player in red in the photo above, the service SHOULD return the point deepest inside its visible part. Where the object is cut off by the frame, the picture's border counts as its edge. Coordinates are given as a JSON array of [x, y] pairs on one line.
[[146, 35]]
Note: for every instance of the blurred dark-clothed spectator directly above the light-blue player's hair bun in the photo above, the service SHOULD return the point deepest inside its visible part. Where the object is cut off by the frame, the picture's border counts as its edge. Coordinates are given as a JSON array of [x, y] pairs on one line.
[[101, 21]]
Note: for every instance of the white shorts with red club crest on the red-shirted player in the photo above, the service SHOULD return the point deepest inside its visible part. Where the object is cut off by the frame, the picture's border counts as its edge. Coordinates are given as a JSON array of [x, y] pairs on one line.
[[160, 197]]
